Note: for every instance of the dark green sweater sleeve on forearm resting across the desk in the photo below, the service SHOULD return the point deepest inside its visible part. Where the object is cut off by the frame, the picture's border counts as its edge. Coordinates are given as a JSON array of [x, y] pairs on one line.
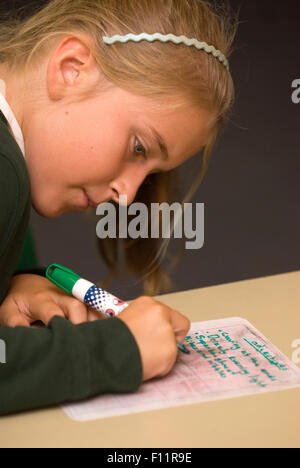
[[66, 362]]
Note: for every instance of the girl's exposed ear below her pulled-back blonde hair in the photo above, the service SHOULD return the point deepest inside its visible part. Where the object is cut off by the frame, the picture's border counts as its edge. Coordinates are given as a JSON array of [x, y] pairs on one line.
[[71, 68]]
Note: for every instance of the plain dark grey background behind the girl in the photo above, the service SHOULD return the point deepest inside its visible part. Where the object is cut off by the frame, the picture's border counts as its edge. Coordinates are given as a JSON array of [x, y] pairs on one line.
[[251, 192]]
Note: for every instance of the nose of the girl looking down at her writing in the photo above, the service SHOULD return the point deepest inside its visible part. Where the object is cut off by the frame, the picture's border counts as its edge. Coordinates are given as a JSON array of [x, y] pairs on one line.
[[127, 184]]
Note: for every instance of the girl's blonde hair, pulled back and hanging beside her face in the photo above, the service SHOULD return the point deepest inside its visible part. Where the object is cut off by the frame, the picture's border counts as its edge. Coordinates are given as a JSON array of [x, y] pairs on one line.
[[180, 75]]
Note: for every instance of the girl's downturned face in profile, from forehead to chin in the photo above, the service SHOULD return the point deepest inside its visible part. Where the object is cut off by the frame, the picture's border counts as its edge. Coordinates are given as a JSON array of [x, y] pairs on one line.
[[82, 154]]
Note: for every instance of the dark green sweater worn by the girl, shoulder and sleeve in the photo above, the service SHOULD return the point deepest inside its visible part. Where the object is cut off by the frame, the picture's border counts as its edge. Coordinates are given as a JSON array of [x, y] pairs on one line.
[[63, 362]]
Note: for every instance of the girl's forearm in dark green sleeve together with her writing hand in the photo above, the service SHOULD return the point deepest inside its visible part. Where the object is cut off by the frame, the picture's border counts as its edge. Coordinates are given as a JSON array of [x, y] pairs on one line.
[[66, 362]]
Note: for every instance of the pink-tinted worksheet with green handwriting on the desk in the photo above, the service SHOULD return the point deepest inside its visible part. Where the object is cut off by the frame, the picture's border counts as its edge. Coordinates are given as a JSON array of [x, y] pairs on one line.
[[228, 358]]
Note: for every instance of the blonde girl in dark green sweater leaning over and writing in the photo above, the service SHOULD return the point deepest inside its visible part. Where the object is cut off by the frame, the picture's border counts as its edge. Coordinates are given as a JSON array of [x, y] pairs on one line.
[[87, 117]]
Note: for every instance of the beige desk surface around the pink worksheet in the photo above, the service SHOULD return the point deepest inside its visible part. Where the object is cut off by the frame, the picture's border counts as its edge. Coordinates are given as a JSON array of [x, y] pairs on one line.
[[272, 305]]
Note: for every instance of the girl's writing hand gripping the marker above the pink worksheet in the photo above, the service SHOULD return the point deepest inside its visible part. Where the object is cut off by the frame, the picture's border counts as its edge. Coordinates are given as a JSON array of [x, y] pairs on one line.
[[157, 328]]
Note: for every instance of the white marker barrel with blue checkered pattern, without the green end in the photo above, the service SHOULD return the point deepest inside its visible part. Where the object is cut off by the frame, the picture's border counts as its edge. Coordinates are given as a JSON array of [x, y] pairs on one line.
[[98, 299]]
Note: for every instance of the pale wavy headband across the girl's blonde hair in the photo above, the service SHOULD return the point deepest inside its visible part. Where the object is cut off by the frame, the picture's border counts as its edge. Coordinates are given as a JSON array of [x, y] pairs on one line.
[[169, 37]]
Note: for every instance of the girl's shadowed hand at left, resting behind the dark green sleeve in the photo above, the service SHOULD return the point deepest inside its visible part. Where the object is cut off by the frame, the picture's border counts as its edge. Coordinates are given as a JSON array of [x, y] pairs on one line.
[[34, 298]]
